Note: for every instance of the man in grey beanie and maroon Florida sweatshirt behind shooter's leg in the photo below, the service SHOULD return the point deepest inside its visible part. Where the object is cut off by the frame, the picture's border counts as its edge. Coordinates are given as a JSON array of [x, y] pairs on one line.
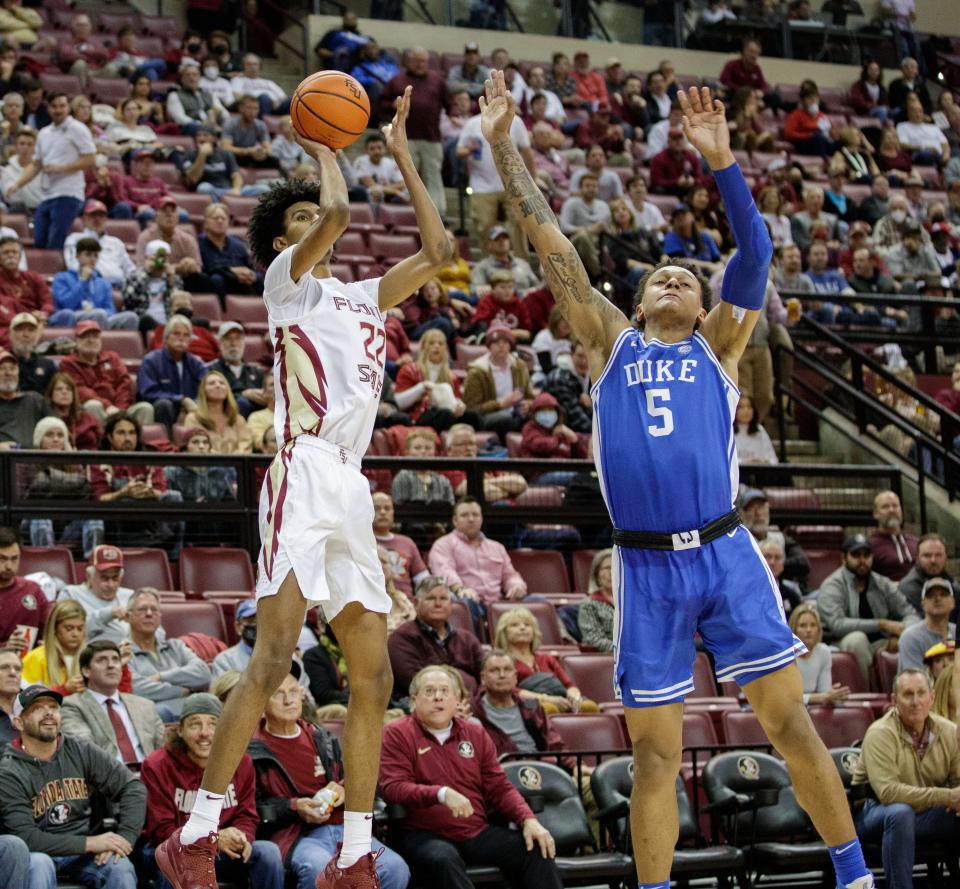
[[172, 775]]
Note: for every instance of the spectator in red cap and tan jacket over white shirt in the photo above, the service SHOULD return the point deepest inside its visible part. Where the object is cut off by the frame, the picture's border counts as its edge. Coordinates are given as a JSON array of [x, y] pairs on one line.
[[503, 401]]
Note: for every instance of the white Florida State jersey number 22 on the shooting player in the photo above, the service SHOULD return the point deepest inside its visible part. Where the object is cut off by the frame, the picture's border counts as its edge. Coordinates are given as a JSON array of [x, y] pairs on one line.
[[329, 351]]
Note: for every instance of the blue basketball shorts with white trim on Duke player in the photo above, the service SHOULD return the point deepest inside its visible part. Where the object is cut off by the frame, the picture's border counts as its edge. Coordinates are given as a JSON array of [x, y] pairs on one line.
[[723, 590]]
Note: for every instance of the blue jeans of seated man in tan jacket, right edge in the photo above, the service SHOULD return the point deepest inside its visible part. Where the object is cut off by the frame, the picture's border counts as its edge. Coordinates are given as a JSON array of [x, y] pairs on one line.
[[898, 827]]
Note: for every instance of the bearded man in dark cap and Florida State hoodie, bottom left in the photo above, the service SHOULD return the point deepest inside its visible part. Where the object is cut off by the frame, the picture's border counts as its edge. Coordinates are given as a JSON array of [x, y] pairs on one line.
[[47, 781]]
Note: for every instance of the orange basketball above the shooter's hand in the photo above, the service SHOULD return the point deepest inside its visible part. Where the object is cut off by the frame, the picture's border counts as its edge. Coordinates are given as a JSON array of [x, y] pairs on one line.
[[330, 107]]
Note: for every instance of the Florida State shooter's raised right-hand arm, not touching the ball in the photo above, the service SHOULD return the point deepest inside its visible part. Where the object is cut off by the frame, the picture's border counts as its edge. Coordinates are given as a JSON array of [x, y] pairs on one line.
[[410, 274]]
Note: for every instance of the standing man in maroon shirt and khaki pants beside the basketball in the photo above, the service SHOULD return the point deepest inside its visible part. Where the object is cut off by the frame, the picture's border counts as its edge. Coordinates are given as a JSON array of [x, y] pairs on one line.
[[423, 126]]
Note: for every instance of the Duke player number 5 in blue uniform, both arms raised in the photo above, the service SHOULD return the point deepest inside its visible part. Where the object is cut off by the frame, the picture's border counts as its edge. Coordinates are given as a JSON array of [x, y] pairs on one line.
[[664, 397]]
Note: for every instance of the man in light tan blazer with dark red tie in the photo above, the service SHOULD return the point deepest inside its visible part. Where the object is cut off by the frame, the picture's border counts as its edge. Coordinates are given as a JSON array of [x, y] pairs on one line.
[[124, 726]]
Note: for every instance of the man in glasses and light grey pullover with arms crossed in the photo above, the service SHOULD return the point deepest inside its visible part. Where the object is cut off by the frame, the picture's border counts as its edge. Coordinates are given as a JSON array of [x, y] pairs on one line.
[[164, 670]]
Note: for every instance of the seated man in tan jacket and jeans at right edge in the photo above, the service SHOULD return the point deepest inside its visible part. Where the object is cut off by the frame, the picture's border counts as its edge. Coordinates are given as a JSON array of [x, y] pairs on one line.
[[914, 798]]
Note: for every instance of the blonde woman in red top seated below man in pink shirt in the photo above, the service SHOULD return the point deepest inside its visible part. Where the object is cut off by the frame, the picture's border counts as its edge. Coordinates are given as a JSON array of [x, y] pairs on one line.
[[539, 675]]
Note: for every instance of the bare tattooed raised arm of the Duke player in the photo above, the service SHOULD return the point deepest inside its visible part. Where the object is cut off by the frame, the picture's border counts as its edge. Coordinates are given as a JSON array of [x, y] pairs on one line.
[[593, 318]]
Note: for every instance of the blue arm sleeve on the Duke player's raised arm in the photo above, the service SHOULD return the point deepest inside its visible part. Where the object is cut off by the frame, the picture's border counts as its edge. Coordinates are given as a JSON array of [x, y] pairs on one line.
[[745, 278]]
